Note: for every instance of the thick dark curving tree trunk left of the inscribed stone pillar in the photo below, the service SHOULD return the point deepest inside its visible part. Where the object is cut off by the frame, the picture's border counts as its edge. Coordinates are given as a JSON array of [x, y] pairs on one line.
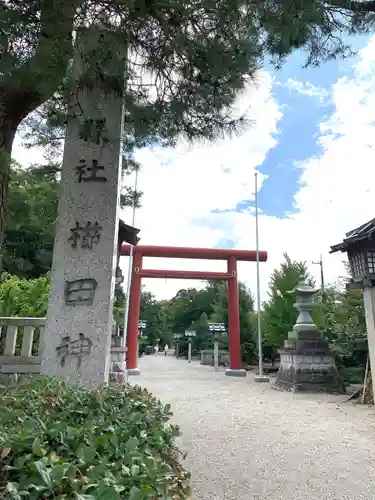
[[28, 86]]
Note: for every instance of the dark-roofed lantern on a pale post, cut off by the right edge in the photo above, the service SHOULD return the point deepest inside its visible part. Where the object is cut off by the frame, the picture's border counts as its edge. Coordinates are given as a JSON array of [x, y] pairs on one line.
[[359, 244]]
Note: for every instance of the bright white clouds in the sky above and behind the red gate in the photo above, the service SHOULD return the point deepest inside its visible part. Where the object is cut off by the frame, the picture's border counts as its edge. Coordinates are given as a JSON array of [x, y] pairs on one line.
[[335, 195]]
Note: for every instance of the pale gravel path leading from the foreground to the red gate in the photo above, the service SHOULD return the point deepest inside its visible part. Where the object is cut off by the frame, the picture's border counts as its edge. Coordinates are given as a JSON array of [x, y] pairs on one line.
[[246, 441]]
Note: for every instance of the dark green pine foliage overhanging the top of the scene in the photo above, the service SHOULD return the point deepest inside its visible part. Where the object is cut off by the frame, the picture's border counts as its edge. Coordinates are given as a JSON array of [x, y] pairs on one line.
[[186, 61]]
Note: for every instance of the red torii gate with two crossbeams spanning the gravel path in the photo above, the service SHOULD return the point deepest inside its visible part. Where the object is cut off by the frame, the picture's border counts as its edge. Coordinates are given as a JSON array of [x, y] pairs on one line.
[[230, 255]]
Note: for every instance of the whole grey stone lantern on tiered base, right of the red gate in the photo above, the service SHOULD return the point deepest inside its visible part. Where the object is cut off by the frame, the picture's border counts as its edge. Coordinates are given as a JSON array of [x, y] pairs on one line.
[[306, 363]]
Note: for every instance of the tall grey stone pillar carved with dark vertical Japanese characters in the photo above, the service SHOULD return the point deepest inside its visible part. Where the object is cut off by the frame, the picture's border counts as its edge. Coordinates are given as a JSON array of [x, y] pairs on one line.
[[77, 341]]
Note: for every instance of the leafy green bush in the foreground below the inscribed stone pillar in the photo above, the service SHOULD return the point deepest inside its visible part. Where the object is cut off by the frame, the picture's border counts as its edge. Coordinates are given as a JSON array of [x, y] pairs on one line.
[[68, 443]]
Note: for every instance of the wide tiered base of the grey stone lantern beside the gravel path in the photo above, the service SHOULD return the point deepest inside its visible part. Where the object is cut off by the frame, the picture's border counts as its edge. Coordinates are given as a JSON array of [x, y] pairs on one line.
[[300, 372]]
